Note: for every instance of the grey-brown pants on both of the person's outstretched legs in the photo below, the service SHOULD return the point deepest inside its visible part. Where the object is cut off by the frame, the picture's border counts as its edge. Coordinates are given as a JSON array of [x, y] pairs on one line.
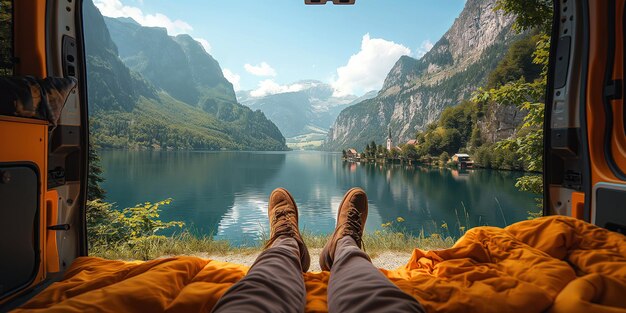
[[275, 284]]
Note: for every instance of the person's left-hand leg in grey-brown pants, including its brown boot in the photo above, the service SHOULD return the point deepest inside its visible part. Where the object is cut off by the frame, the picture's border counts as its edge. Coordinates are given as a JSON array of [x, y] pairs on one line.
[[274, 282]]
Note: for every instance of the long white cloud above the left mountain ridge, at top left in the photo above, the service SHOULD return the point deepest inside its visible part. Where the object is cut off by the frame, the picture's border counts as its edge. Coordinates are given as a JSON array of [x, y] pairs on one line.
[[115, 8]]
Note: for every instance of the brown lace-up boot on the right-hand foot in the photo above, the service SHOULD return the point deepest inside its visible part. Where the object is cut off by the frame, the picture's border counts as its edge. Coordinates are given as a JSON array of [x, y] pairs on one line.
[[350, 222]]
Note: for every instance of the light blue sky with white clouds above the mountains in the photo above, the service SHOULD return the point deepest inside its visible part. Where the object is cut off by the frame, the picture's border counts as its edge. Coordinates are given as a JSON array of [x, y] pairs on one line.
[[267, 46]]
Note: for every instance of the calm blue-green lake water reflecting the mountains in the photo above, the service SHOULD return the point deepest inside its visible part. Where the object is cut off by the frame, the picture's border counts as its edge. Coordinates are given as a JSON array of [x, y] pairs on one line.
[[226, 193]]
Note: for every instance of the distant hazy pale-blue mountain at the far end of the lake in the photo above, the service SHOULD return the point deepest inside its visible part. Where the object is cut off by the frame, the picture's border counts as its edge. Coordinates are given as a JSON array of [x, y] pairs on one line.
[[310, 110]]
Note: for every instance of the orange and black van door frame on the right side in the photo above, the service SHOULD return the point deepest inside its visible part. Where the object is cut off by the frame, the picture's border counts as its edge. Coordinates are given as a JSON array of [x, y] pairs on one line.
[[585, 142]]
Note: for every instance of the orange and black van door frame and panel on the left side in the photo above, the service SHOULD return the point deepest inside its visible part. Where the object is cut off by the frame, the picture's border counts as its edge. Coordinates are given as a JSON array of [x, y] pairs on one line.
[[43, 161]]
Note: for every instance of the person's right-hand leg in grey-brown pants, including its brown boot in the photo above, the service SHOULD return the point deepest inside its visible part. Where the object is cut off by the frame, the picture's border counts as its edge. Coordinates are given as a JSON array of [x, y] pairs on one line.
[[355, 285]]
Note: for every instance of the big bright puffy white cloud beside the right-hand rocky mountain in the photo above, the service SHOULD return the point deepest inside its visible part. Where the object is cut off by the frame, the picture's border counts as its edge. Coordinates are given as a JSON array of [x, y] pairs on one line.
[[367, 69]]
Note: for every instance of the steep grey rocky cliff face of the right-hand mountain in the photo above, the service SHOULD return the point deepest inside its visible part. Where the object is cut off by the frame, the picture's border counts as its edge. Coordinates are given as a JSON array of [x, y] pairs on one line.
[[416, 91]]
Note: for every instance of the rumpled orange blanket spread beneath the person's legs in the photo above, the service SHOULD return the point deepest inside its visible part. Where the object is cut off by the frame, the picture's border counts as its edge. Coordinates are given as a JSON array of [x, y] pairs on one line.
[[554, 264]]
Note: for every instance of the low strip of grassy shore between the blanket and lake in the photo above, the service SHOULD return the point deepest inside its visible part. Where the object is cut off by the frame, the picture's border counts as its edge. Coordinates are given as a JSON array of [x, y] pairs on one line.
[[186, 243]]
